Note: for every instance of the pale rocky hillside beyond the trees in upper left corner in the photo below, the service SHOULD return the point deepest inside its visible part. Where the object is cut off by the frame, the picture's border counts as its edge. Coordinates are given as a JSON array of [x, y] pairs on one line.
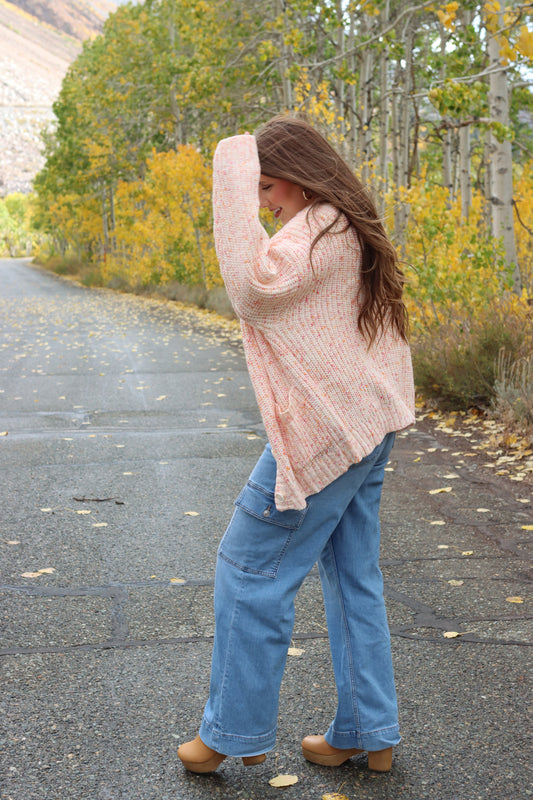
[[38, 41]]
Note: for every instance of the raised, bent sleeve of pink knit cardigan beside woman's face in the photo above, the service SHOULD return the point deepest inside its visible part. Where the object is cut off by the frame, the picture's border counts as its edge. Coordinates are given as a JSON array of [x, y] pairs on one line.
[[261, 275]]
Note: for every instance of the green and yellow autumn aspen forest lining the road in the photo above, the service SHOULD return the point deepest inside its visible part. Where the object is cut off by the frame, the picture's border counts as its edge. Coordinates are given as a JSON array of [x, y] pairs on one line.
[[431, 104]]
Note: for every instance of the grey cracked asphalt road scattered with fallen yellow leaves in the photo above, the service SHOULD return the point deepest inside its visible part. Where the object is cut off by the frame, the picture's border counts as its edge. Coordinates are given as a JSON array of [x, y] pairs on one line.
[[128, 427]]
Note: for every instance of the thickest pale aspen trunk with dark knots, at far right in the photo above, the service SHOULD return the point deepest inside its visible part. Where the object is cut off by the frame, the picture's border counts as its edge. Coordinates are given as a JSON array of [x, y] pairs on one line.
[[500, 152]]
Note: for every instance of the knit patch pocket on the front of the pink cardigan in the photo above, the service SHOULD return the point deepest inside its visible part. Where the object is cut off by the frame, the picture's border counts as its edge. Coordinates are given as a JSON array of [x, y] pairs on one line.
[[304, 433]]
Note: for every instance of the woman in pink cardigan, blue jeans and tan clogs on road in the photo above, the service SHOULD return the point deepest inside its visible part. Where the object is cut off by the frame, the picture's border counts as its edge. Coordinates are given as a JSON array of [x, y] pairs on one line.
[[325, 336]]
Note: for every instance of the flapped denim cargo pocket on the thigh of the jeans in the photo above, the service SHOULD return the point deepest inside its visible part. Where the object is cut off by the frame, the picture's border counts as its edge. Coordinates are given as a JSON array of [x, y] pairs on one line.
[[258, 534]]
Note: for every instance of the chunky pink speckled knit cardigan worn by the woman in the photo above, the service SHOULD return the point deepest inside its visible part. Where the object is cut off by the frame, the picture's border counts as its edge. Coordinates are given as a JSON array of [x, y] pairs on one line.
[[326, 399]]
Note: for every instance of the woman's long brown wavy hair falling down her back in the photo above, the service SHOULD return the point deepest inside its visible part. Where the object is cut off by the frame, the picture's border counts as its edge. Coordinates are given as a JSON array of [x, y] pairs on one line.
[[291, 149]]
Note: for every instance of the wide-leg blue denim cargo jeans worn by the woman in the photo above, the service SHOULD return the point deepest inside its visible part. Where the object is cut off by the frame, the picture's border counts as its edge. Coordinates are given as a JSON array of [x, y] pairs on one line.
[[263, 559]]
